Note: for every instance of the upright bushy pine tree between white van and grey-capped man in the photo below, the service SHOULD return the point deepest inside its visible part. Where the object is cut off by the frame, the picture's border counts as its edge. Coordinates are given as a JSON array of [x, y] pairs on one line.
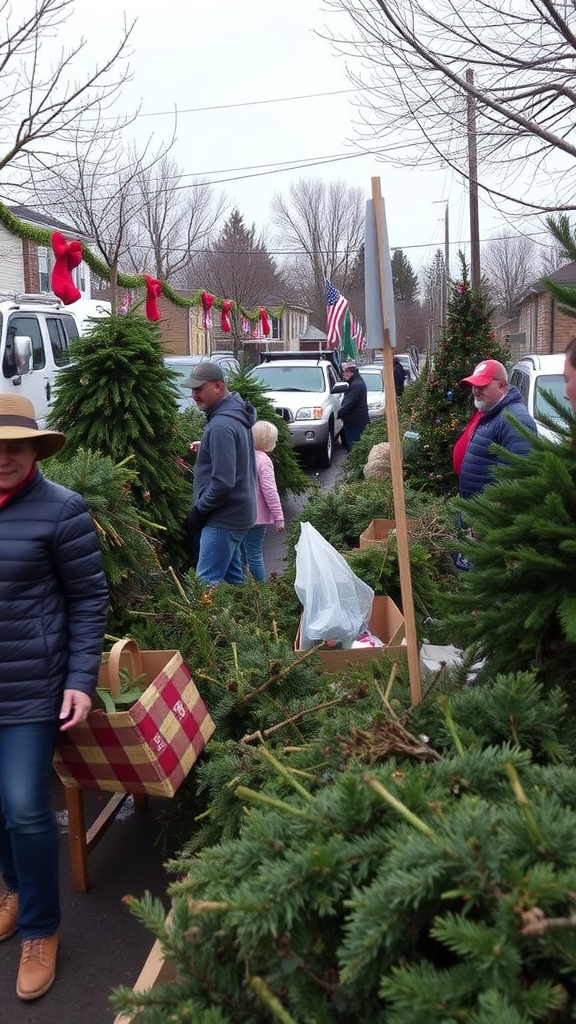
[[117, 398]]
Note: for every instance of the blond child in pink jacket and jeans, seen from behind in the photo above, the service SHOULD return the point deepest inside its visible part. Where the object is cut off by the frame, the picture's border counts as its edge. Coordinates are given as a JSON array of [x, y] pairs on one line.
[[269, 509]]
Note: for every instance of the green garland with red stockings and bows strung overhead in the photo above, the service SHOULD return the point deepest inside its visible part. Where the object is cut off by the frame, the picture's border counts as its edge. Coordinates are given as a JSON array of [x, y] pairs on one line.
[[70, 254]]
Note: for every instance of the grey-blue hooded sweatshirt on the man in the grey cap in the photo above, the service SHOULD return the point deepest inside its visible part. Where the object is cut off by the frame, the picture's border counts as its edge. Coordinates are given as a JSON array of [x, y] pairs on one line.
[[225, 475]]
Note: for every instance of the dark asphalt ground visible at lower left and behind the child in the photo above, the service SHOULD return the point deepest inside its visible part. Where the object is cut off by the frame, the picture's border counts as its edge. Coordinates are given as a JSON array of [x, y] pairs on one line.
[[102, 946]]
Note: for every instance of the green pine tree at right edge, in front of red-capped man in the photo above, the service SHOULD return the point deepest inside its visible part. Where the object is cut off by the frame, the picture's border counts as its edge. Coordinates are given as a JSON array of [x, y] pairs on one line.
[[523, 588]]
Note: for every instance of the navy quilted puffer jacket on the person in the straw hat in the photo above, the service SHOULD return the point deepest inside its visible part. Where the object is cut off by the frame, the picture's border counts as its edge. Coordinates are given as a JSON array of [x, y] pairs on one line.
[[54, 601]]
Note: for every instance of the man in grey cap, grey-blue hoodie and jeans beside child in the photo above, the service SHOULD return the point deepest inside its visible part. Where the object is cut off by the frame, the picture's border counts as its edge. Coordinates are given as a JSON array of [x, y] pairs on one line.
[[224, 507]]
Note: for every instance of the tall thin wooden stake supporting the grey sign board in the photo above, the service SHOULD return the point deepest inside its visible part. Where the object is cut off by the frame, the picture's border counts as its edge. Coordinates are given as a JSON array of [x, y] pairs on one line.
[[386, 302]]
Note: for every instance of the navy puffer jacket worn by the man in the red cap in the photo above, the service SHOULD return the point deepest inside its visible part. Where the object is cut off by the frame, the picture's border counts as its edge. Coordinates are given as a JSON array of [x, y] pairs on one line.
[[477, 470]]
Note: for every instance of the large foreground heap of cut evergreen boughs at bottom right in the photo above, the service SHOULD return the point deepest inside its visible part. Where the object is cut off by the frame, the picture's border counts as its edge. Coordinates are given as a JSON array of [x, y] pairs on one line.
[[403, 892]]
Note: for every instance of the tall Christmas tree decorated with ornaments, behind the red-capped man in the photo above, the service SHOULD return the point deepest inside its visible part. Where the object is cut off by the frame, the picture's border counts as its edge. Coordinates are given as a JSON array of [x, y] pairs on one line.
[[441, 407]]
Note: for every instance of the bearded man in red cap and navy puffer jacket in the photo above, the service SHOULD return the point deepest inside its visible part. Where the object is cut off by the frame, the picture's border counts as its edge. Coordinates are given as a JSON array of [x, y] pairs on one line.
[[496, 400]]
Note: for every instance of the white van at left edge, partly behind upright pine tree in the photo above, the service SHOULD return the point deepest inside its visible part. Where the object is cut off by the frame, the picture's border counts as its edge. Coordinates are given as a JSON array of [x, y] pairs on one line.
[[35, 333]]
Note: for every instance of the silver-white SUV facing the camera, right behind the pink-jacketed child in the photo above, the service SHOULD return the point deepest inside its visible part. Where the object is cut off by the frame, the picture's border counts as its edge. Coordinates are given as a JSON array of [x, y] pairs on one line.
[[306, 390]]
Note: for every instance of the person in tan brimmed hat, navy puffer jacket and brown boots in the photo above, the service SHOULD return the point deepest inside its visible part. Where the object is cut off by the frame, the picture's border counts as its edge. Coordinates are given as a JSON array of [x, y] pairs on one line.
[[54, 602]]
